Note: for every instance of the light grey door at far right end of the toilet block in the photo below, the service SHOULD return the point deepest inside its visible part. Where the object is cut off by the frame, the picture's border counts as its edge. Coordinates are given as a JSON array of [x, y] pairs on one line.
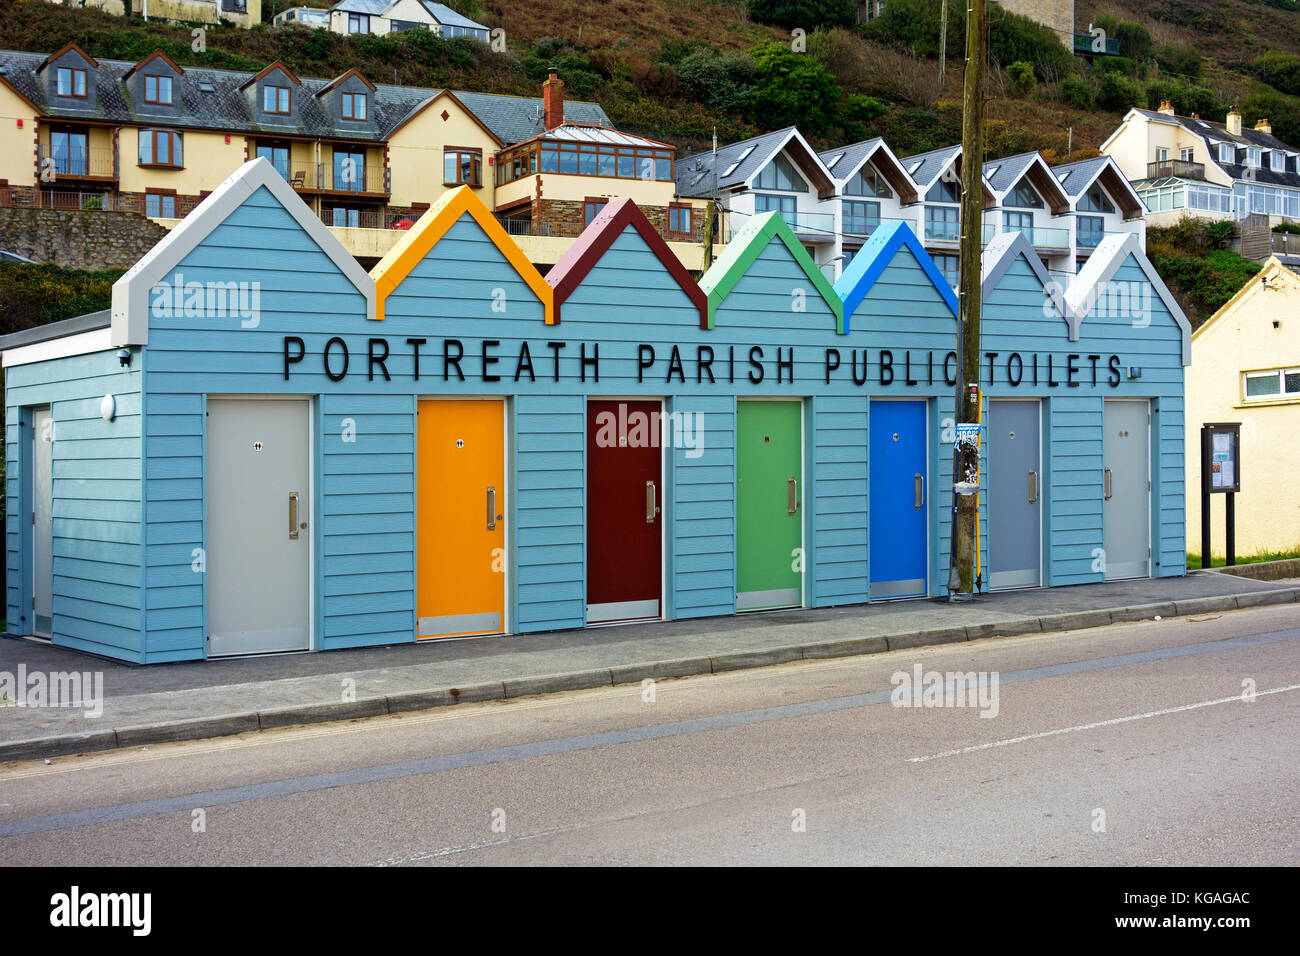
[[1126, 452]]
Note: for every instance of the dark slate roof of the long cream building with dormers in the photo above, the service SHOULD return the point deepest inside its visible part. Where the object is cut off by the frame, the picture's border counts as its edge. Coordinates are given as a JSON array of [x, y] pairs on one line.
[[227, 107]]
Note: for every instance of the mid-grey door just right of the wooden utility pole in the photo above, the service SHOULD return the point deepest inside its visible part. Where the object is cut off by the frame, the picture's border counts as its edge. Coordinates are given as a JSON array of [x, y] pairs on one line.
[[1015, 491]]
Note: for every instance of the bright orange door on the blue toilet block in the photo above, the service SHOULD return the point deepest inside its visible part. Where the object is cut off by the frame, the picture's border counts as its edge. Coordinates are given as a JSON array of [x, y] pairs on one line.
[[461, 509]]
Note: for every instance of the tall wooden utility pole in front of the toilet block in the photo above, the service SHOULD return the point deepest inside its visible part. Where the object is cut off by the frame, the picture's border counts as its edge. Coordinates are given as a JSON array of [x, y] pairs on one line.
[[961, 581]]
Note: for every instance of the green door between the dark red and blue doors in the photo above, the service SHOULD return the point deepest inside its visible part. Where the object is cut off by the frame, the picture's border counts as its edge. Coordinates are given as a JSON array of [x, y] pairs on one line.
[[769, 504]]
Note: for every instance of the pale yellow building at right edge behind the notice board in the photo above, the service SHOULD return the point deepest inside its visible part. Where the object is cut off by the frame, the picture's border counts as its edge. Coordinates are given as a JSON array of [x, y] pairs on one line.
[[1246, 367]]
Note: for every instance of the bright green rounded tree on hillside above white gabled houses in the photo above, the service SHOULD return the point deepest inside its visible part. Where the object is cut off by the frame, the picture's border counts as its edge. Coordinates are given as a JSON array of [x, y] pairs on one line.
[[792, 90]]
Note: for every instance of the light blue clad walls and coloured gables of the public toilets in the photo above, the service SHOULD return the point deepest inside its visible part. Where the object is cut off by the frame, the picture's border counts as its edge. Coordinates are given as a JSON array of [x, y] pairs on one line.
[[252, 297]]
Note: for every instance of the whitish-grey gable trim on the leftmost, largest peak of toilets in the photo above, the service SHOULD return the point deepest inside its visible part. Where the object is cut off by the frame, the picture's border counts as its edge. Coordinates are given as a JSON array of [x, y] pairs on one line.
[[131, 323]]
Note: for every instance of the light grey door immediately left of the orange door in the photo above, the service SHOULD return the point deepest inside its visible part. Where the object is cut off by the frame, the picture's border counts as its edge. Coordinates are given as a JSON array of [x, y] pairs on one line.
[[259, 526]]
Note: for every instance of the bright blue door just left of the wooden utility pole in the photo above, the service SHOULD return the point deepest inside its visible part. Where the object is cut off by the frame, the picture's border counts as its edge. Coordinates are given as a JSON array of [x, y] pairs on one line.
[[899, 492]]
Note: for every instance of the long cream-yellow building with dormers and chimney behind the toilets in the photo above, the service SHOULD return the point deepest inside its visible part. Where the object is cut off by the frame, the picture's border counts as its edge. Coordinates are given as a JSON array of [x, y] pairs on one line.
[[155, 139]]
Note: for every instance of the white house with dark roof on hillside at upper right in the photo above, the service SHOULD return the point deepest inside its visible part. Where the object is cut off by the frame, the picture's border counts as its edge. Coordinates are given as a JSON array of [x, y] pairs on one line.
[[1191, 167]]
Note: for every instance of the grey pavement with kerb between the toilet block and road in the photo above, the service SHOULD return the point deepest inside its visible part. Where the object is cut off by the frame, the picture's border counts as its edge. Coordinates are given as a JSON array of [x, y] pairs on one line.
[[183, 702]]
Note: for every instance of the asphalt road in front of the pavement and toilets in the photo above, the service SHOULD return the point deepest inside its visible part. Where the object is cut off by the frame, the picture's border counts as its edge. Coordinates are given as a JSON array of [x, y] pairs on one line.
[[1128, 745]]
